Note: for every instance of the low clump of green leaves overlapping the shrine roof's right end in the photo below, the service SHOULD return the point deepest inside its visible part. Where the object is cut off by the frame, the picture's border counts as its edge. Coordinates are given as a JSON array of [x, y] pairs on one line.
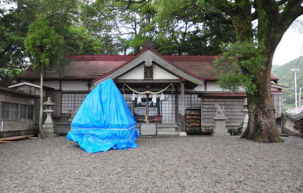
[[239, 65]]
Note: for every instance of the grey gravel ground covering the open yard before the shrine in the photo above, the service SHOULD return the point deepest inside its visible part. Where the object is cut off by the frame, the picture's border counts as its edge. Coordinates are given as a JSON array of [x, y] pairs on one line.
[[159, 165]]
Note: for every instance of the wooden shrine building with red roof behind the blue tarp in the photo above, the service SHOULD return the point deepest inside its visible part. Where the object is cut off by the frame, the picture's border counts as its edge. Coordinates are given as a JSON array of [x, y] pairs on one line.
[[177, 93]]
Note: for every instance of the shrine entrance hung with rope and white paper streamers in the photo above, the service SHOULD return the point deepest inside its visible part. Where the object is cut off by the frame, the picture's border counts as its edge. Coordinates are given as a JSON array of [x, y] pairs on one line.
[[154, 106]]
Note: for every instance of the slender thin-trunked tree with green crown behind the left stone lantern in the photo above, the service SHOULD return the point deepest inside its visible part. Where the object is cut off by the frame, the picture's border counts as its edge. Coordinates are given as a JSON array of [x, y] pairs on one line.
[[53, 36]]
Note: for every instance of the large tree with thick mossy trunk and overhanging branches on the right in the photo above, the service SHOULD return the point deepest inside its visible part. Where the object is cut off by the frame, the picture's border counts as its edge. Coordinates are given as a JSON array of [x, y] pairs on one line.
[[272, 18]]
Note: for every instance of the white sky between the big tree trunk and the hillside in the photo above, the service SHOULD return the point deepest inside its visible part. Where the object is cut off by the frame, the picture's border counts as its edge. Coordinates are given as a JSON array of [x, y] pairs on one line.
[[290, 47]]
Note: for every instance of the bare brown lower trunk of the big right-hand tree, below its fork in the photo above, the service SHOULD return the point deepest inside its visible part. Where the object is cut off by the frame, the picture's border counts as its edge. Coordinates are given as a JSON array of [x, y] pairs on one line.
[[261, 123]]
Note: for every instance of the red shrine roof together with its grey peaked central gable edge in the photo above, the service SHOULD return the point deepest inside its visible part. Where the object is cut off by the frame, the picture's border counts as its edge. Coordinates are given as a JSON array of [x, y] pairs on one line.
[[98, 67]]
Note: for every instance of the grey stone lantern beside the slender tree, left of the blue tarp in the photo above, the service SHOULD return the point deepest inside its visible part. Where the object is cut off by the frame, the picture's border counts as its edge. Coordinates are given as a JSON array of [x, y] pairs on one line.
[[48, 125]]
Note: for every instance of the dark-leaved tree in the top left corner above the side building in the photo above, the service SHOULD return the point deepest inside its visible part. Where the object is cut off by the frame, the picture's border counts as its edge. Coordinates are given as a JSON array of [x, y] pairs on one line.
[[14, 23]]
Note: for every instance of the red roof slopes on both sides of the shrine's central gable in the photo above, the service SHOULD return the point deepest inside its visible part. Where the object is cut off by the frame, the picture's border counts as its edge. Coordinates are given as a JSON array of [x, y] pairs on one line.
[[99, 66]]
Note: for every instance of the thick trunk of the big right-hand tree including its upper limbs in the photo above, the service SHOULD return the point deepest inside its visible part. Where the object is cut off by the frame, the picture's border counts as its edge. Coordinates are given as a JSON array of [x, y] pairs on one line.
[[261, 124]]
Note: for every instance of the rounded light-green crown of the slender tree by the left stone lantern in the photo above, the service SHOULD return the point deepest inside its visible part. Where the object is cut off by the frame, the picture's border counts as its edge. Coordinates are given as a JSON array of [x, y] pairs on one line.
[[43, 44]]
